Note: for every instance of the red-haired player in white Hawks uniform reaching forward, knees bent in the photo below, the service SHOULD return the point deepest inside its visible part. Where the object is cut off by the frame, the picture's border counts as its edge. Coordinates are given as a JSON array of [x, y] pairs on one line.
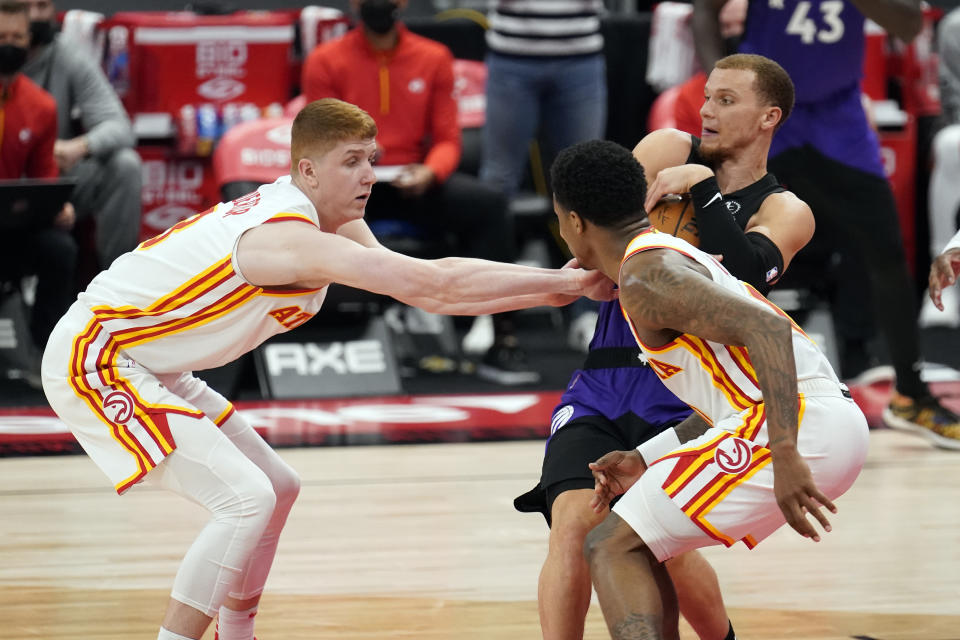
[[210, 289]]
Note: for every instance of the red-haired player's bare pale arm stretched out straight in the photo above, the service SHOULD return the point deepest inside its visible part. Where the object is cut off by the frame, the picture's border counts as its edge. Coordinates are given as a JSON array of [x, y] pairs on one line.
[[296, 255]]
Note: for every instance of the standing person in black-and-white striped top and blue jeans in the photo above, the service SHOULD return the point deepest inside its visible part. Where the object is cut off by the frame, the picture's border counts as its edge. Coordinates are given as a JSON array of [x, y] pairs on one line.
[[546, 75]]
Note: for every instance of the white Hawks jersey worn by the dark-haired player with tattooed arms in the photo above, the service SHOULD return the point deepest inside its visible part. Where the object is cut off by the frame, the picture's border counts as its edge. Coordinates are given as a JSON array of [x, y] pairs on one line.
[[715, 379]]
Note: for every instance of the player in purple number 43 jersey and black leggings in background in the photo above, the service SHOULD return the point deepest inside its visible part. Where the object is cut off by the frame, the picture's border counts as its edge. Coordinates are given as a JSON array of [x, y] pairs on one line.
[[828, 155]]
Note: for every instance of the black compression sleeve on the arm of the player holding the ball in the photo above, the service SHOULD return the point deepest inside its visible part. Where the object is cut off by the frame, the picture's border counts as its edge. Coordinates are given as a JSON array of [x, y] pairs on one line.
[[752, 257]]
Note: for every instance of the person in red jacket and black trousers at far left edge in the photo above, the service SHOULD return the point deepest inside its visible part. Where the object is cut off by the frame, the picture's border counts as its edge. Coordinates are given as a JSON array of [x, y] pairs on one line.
[[29, 127]]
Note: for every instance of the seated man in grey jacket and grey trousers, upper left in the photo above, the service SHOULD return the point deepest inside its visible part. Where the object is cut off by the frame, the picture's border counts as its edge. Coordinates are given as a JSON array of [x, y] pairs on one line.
[[94, 136]]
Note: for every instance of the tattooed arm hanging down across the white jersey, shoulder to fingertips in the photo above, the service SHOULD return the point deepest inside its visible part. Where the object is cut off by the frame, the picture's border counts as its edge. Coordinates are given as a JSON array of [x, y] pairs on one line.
[[666, 293]]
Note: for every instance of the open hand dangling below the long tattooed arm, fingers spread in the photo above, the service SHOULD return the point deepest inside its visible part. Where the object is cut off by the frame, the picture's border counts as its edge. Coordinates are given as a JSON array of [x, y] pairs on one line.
[[797, 495]]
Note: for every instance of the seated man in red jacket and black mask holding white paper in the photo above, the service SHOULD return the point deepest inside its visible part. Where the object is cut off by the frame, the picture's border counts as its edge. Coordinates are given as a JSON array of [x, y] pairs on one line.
[[405, 82]]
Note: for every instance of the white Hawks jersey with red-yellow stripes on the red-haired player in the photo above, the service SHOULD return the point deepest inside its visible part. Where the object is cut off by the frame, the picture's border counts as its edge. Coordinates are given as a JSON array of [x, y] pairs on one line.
[[178, 302]]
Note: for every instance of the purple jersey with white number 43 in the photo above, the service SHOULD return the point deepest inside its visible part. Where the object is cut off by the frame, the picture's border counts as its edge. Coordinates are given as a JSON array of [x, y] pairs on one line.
[[819, 42]]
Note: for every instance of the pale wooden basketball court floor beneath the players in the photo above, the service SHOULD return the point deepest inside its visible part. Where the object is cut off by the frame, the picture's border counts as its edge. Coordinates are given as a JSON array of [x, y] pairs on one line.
[[421, 541]]
